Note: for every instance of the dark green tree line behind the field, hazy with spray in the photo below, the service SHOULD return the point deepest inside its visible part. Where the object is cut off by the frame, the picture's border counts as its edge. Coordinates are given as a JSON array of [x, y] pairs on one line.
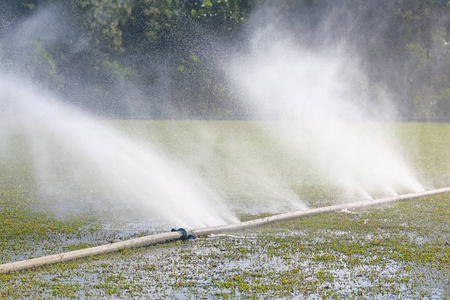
[[159, 57]]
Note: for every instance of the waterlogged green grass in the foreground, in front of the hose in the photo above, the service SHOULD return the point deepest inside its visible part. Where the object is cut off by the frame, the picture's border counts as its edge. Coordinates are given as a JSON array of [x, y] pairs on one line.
[[396, 251]]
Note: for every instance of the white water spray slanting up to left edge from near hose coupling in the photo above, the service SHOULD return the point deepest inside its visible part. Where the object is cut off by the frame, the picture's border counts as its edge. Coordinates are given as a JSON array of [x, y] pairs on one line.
[[73, 153]]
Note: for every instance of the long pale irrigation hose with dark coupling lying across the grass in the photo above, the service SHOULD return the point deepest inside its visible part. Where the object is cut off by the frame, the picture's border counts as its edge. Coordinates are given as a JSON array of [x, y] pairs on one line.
[[184, 234]]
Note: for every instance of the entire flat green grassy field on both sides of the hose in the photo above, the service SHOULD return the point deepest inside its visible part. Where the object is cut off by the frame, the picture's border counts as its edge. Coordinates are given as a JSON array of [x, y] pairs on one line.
[[399, 251]]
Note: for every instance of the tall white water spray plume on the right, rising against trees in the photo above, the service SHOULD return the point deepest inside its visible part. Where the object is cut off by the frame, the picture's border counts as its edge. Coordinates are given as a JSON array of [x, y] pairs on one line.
[[323, 116]]
